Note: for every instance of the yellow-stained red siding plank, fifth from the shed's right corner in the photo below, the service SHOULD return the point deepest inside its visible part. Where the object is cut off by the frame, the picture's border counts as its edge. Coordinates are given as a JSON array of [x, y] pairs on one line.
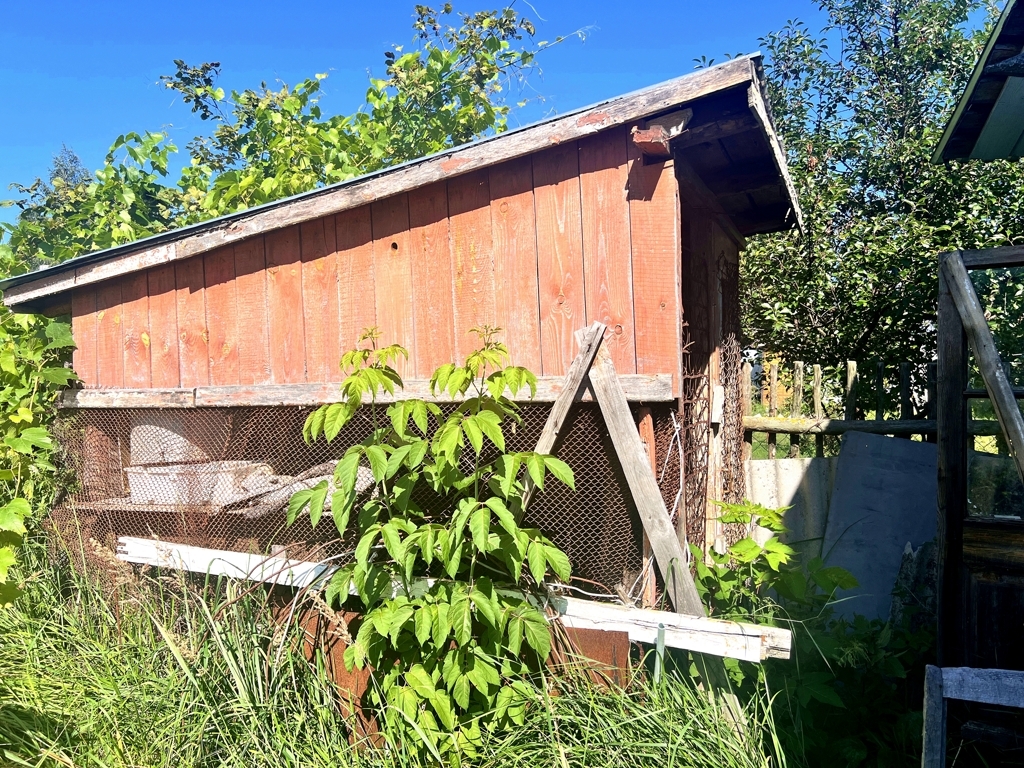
[[473, 260]]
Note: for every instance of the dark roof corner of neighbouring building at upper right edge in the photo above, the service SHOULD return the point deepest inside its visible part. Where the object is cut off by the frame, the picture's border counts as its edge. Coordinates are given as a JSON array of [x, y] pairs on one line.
[[989, 122]]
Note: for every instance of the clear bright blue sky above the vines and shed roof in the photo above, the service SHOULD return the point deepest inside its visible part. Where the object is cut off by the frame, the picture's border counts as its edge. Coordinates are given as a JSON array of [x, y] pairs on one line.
[[81, 73]]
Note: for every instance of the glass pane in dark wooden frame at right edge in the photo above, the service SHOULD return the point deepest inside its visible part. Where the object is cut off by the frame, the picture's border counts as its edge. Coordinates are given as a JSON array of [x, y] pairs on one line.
[[994, 488]]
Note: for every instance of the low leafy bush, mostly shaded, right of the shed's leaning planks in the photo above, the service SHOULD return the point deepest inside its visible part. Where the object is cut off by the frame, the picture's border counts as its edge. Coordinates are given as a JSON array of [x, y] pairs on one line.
[[851, 694]]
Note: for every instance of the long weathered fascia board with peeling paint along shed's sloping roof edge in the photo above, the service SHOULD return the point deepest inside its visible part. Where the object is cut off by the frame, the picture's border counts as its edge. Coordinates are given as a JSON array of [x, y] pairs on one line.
[[199, 239]]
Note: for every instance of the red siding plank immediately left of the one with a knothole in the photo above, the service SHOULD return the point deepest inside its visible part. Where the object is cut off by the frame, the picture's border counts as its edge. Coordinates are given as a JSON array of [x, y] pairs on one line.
[[358, 305]]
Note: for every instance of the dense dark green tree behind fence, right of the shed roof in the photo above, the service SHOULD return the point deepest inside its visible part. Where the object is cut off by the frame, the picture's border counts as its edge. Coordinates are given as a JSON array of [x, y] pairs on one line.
[[862, 108]]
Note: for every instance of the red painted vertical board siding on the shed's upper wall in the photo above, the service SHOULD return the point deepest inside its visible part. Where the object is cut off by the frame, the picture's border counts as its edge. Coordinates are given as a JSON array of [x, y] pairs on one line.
[[540, 246]]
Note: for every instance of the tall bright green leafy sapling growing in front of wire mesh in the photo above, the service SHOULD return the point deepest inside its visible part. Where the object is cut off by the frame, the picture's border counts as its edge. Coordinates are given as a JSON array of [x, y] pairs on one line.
[[443, 565]]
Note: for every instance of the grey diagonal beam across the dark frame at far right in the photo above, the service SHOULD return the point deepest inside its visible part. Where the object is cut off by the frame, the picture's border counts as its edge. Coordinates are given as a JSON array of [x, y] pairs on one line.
[[979, 336]]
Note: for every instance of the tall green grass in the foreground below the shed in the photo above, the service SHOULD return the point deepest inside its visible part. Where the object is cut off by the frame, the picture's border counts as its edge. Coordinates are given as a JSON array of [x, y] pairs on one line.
[[186, 674]]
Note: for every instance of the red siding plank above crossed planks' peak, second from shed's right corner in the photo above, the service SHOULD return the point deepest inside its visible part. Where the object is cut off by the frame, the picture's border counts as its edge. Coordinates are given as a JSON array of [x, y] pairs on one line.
[[607, 252]]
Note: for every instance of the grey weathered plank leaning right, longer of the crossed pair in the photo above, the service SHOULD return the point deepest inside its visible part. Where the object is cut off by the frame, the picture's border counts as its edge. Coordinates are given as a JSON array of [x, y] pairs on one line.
[[644, 487]]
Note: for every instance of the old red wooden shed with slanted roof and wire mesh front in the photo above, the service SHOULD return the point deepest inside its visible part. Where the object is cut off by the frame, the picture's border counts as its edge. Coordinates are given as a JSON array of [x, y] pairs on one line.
[[632, 212]]
